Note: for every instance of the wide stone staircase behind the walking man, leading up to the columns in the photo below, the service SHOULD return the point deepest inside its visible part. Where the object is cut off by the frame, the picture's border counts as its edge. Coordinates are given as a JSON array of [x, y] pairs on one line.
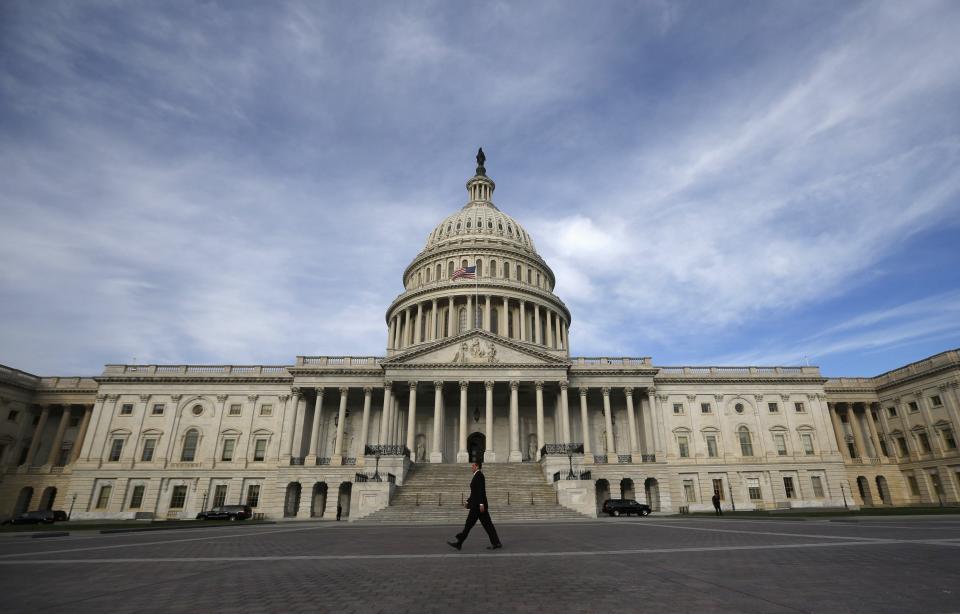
[[433, 493]]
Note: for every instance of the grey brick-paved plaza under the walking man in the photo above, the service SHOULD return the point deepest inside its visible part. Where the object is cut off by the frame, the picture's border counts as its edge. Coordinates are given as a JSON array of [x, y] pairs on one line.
[[896, 564]]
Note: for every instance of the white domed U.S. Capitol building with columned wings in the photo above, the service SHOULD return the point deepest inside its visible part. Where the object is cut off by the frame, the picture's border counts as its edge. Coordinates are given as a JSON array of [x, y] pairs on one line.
[[476, 366]]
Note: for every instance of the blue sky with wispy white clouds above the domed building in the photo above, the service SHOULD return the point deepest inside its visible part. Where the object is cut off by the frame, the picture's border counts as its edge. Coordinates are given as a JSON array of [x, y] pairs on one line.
[[713, 183]]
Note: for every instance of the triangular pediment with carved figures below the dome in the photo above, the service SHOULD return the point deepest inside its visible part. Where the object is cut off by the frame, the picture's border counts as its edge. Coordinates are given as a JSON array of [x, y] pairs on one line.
[[475, 348]]
